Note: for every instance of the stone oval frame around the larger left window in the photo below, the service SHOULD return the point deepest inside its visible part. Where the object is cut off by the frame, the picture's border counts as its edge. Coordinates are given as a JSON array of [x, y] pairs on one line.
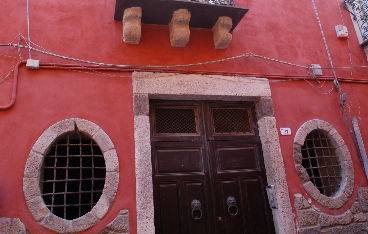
[[32, 172]]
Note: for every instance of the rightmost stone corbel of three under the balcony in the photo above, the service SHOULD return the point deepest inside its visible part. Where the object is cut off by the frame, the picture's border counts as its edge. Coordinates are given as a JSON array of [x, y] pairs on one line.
[[221, 35]]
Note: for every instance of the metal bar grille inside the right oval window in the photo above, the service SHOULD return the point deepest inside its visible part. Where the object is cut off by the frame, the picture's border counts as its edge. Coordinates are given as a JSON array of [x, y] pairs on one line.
[[321, 162]]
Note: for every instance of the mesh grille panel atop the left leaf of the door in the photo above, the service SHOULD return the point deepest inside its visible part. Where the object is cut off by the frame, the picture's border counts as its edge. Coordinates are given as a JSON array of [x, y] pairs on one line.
[[175, 120]]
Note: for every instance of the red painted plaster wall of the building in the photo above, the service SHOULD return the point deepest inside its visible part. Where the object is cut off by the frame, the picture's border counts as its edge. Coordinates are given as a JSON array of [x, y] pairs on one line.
[[283, 30]]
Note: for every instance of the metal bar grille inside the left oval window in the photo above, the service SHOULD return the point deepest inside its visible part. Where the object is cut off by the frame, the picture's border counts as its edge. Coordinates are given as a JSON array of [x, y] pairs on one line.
[[73, 176]]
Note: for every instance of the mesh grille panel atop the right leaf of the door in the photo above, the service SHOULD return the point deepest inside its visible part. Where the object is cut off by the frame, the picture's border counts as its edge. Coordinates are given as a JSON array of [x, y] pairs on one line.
[[231, 120]]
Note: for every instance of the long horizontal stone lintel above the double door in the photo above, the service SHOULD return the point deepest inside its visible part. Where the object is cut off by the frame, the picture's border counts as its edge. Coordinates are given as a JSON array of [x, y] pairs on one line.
[[201, 85]]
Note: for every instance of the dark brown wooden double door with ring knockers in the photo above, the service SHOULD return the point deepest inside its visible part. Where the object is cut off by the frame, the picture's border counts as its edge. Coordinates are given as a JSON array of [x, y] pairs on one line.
[[208, 171]]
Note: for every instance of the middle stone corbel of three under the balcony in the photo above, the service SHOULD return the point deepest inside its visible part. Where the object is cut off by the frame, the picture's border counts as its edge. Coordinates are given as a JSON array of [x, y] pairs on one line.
[[179, 28]]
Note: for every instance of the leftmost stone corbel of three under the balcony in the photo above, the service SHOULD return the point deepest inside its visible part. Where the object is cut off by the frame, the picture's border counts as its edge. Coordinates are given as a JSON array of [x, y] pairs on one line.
[[132, 25]]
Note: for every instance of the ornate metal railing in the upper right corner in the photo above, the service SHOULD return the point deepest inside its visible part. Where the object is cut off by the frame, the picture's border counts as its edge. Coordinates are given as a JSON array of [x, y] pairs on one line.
[[359, 10]]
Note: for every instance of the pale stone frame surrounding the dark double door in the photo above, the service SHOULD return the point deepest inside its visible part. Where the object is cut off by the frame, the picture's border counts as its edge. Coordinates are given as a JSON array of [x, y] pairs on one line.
[[170, 86]]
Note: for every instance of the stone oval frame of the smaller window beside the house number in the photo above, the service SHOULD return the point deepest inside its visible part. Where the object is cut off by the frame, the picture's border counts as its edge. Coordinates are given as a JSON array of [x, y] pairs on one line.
[[342, 151]]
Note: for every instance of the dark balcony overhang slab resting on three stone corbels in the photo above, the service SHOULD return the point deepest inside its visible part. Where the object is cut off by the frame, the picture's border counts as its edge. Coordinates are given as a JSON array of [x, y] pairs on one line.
[[203, 15]]
